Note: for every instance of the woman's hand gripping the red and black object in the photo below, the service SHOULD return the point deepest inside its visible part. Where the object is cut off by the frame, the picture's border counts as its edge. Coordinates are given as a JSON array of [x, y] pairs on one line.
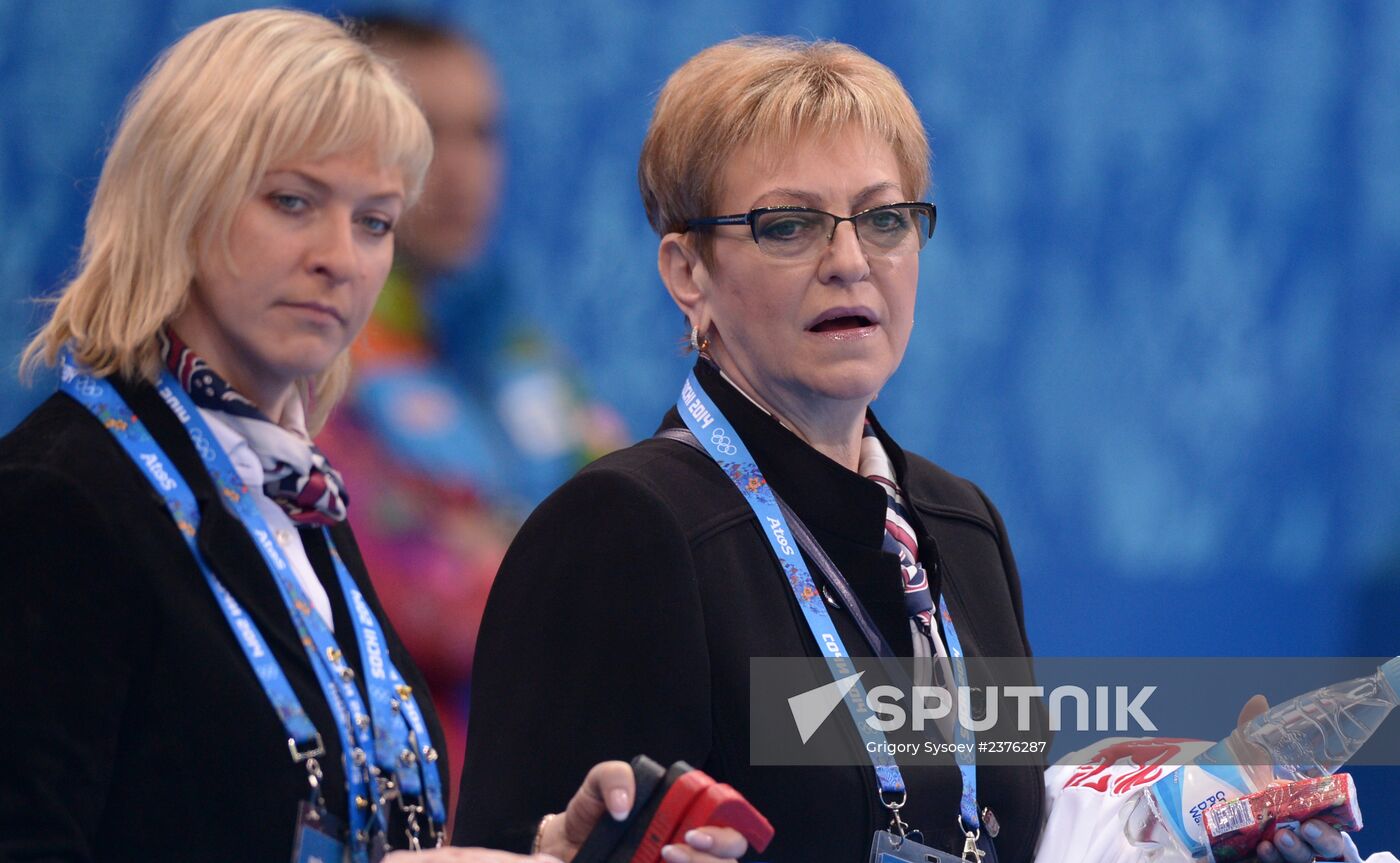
[[610, 788]]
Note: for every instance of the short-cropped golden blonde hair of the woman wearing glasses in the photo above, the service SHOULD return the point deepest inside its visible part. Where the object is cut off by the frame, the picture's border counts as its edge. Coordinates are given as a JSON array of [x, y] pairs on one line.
[[768, 90]]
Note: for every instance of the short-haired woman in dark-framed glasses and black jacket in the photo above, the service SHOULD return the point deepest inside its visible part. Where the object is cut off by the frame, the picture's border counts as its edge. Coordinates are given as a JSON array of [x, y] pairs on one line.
[[786, 183]]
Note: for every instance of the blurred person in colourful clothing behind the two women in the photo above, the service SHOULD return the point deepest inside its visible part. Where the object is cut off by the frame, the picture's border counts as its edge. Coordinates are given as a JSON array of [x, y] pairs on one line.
[[463, 414]]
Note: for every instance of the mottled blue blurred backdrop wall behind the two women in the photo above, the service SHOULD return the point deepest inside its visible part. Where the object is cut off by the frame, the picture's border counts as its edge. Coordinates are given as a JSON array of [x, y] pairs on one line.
[[1158, 323]]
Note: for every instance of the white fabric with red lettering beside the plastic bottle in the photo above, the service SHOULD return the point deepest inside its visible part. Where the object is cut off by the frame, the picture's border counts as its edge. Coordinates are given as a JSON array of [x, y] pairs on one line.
[[1087, 792]]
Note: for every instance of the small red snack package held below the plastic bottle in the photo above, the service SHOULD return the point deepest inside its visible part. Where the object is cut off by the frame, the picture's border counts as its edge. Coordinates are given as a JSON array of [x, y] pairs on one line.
[[1237, 827]]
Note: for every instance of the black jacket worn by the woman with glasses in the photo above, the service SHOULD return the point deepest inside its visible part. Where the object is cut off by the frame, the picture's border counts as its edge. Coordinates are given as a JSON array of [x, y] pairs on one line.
[[628, 609]]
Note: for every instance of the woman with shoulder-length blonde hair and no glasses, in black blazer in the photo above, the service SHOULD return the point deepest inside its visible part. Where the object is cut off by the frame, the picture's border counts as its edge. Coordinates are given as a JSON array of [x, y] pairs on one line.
[[195, 665]]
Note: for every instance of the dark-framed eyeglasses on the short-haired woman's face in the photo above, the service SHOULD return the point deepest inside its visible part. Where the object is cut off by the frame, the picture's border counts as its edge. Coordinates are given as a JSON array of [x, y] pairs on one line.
[[800, 233]]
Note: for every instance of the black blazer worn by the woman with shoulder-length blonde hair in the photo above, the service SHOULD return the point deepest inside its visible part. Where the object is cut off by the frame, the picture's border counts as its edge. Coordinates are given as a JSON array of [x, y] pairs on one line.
[[134, 726]]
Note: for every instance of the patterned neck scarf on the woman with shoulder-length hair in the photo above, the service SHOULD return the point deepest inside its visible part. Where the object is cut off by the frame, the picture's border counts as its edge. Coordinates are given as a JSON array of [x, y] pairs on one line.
[[296, 474]]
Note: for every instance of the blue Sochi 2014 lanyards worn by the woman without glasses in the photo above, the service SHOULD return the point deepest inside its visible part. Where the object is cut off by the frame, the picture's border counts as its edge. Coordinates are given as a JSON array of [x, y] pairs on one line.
[[334, 675]]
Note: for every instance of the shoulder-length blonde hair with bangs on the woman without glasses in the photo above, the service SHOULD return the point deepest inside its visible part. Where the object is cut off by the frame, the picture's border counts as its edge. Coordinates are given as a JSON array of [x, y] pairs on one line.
[[215, 114]]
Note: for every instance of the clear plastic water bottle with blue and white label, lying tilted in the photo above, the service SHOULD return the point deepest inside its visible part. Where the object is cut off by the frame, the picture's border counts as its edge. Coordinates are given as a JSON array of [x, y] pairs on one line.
[[1308, 736]]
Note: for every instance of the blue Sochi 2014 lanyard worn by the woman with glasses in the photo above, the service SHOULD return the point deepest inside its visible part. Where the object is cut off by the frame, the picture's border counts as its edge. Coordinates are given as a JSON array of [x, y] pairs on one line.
[[720, 441]]
